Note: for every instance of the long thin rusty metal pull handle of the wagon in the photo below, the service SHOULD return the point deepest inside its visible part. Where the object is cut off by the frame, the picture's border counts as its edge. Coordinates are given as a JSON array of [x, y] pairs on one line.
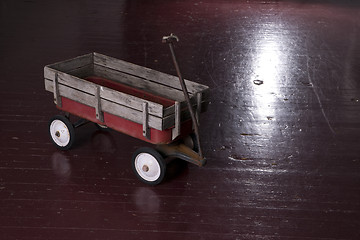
[[170, 39]]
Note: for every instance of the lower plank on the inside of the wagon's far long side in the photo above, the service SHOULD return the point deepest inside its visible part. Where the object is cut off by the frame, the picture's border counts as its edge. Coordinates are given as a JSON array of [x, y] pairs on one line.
[[148, 86]]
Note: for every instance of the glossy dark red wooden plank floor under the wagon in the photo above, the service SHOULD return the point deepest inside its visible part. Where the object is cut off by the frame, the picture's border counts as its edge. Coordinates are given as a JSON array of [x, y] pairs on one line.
[[281, 134]]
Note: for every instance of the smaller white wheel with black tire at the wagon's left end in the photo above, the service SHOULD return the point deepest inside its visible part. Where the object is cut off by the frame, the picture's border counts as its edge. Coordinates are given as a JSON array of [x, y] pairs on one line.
[[62, 132]]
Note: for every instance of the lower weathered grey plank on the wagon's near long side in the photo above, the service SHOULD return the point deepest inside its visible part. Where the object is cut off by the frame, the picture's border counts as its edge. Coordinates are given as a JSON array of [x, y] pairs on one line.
[[106, 106]]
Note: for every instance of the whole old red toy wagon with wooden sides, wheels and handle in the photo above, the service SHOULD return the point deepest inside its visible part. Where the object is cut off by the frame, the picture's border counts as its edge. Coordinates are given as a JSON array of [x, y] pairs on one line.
[[146, 104]]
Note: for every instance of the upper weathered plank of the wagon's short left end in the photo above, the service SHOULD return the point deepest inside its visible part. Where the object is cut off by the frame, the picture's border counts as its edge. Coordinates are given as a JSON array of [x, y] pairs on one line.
[[74, 63]]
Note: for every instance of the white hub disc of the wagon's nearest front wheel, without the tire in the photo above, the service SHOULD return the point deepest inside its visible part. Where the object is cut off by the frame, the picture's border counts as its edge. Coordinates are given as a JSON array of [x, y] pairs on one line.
[[147, 167]]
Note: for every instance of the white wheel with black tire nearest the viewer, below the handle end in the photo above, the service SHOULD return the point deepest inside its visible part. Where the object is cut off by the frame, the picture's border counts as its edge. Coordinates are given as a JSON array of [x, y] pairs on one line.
[[148, 165]]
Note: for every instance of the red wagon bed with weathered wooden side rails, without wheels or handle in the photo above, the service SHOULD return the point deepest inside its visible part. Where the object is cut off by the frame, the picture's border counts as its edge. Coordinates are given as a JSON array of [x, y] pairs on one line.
[[132, 99]]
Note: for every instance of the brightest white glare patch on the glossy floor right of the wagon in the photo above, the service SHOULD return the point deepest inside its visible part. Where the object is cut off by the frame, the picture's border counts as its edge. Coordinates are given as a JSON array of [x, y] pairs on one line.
[[269, 66]]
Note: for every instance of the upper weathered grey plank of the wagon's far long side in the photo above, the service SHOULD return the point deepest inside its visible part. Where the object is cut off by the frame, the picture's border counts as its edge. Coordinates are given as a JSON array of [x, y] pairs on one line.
[[146, 73]]
